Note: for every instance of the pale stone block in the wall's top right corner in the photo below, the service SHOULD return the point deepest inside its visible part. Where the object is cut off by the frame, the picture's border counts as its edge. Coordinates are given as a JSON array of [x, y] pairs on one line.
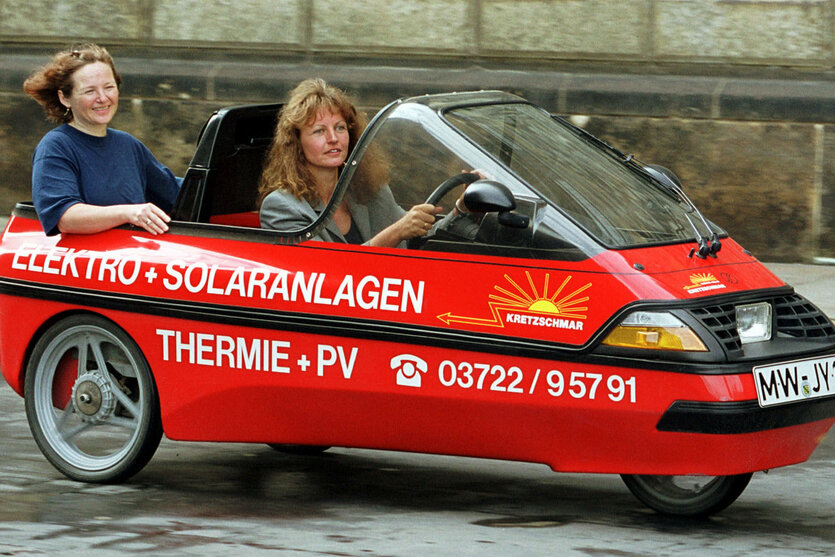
[[742, 30]]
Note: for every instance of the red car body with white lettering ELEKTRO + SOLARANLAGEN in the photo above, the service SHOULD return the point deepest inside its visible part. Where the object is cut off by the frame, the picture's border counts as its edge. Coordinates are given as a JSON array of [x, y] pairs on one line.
[[256, 383]]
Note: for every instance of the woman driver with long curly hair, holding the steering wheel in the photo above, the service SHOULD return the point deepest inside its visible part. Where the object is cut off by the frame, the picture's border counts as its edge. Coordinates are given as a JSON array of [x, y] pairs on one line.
[[317, 129]]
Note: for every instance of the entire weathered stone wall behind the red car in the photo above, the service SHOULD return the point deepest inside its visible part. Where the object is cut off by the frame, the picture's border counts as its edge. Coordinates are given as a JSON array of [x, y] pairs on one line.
[[737, 96]]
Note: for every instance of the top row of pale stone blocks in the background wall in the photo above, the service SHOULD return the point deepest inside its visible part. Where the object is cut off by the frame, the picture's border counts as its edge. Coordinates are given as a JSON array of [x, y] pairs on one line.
[[794, 32]]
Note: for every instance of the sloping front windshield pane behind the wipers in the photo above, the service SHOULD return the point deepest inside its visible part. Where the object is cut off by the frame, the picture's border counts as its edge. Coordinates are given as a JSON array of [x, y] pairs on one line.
[[613, 202]]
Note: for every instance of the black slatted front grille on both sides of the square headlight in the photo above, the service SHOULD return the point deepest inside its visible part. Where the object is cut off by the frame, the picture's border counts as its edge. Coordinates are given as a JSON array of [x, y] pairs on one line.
[[794, 316]]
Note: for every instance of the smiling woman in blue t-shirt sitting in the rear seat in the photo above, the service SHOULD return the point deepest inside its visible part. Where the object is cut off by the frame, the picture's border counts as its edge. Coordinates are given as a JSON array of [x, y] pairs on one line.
[[86, 177]]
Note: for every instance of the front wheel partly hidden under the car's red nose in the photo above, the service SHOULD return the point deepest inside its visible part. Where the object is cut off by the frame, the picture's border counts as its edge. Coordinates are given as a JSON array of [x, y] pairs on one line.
[[693, 496]]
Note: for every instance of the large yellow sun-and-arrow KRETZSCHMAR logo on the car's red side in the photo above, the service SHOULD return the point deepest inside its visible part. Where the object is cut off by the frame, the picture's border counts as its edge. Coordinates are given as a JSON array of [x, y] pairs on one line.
[[538, 306]]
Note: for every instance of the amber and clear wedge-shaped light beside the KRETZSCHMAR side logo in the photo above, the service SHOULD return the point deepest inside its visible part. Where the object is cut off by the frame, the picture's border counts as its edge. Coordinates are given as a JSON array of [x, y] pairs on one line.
[[655, 331]]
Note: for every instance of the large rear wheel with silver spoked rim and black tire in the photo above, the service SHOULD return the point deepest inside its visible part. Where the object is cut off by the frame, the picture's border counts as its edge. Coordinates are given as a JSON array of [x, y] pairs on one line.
[[91, 401]]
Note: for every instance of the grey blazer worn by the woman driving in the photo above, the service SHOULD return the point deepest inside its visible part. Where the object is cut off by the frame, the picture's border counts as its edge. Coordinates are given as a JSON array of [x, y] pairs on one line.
[[283, 211]]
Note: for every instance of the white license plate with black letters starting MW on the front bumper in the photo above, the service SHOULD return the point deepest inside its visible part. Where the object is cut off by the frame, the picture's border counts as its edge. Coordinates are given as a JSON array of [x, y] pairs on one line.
[[797, 380]]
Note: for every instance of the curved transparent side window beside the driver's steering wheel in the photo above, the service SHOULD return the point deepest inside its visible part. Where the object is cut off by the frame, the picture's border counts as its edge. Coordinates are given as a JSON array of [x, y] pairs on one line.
[[420, 151]]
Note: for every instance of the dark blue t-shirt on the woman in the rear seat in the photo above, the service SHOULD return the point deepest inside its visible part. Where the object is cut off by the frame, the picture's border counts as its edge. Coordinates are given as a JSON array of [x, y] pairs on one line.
[[70, 166]]
